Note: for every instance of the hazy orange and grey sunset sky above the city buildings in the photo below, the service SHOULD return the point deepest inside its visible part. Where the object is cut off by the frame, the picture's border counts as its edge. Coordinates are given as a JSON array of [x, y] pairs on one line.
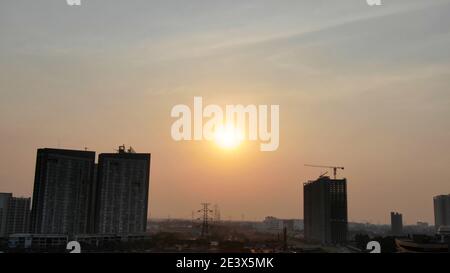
[[363, 87]]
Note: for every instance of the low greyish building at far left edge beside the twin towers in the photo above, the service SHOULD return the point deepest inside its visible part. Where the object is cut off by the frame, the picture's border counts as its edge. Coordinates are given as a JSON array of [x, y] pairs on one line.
[[14, 214]]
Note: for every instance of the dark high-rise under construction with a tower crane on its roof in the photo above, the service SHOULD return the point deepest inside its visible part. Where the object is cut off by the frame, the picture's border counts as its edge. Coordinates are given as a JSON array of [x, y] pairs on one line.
[[325, 210]]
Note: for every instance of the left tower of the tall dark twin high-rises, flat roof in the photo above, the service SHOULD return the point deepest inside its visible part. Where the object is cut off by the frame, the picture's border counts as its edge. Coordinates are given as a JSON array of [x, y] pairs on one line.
[[63, 186]]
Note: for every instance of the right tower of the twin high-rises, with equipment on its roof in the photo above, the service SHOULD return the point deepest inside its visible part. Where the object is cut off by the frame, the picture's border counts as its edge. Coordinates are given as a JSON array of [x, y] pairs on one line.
[[122, 192]]
